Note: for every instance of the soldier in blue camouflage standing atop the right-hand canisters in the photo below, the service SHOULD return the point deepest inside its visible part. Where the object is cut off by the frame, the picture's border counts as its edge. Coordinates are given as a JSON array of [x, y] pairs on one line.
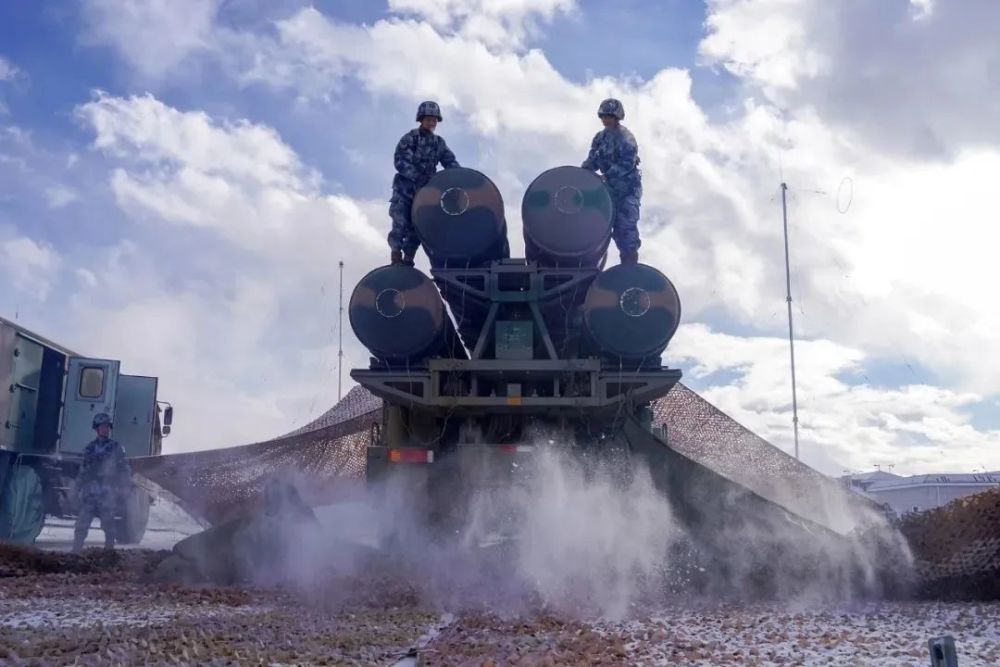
[[615, 153]]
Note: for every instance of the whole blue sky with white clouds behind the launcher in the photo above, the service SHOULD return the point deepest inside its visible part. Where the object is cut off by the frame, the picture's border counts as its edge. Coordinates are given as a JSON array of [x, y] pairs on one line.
[[179, 178]]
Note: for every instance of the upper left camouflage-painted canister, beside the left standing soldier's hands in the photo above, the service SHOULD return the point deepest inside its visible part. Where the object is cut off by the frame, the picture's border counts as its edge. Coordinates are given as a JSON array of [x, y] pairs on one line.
[[459, 218]]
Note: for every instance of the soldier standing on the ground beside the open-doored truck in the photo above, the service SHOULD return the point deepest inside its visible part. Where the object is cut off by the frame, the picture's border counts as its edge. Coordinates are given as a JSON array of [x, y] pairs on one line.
[[103, 482]]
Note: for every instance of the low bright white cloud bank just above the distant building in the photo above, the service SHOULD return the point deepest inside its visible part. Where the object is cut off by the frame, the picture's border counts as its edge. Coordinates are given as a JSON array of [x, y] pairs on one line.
[[917, 428]]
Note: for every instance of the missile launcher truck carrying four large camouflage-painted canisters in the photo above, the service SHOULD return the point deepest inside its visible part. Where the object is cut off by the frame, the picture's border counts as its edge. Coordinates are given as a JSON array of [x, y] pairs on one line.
[[549, 347]]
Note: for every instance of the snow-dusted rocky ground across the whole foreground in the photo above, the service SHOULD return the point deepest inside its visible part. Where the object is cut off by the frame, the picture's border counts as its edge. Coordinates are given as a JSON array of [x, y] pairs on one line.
[[61, 609]]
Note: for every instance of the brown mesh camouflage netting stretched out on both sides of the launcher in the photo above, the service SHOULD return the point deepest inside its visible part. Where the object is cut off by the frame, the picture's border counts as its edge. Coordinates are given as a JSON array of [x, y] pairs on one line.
[[329, 457]]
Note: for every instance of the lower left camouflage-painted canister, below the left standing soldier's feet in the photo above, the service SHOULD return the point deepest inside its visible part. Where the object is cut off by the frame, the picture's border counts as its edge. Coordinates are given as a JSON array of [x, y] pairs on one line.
[[397, 313]]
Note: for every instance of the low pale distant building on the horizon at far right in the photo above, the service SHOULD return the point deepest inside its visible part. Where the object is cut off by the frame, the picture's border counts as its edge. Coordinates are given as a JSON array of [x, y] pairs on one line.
[[920, 493]]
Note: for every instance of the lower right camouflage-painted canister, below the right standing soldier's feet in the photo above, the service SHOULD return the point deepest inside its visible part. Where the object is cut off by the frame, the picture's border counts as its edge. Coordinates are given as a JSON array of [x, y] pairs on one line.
[[631, 312]]
